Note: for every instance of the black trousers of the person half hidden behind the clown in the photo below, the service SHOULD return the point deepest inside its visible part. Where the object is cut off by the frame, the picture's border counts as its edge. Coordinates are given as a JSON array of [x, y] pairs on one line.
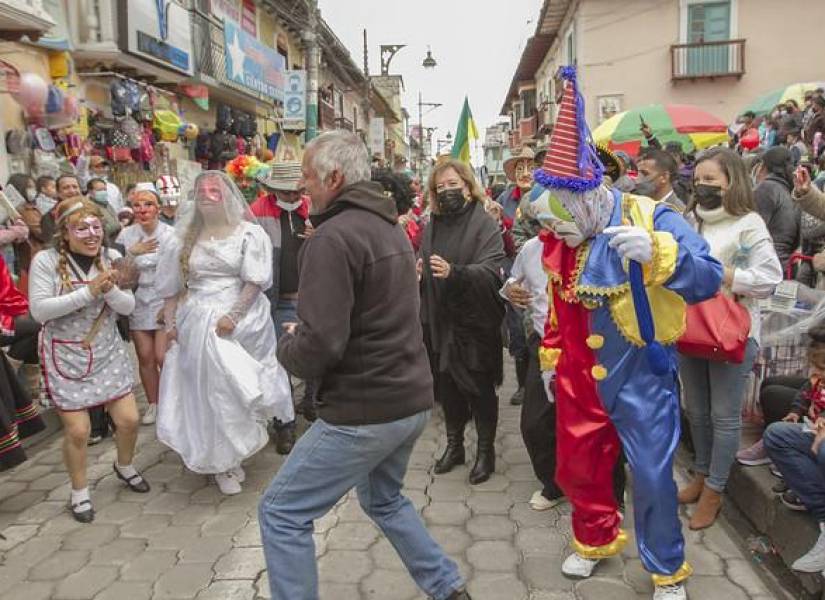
[[538, 429]]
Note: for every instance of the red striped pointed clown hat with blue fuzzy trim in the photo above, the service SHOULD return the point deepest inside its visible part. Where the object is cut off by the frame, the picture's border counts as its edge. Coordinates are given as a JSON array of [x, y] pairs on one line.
[[571, 161]]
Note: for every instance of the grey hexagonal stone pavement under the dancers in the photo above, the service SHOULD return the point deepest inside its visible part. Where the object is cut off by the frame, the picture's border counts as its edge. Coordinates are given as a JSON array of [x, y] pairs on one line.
[[186, 540]]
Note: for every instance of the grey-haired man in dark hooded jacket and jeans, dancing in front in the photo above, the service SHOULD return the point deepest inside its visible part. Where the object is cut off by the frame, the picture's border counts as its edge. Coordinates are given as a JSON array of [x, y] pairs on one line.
[[359, 335]]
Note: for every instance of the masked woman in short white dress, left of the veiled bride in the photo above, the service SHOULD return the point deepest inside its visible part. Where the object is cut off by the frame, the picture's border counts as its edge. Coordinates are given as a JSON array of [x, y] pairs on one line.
[[143, 242]]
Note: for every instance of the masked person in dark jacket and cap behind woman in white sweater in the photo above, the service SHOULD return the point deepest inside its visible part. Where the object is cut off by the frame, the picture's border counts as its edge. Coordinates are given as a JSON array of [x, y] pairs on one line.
[[774, 181]]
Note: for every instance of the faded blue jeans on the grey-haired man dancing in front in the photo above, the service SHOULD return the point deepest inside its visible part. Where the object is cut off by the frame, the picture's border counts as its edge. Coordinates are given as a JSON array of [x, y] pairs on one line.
[[324, 465]]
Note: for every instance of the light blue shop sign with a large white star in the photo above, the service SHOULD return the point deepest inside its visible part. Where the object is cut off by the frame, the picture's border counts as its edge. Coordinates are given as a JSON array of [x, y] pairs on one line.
[[251, 64]]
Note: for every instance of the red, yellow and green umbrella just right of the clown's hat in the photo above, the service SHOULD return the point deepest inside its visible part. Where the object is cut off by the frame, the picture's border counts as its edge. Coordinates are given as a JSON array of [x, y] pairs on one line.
[[693, 127]]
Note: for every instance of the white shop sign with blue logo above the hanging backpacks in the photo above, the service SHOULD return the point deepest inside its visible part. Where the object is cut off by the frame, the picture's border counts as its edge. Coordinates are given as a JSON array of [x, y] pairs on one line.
[[160, 31]]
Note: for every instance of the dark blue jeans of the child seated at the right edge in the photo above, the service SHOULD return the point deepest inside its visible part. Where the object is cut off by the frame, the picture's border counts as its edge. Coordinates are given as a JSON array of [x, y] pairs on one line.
[[789, 447]]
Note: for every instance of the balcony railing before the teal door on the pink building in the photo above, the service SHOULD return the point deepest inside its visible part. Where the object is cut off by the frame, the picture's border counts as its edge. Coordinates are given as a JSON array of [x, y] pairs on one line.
[[708, 60]]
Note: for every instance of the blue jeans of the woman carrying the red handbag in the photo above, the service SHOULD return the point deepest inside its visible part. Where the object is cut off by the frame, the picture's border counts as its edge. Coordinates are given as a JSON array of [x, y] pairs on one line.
[[714, 392]]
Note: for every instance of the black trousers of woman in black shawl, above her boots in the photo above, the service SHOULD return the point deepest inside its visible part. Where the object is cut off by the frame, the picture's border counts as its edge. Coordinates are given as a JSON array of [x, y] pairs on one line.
[[459, 405]]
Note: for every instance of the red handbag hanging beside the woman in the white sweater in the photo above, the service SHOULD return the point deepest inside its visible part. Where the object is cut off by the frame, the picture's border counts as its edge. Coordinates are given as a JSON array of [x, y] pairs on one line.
[[717, 329]]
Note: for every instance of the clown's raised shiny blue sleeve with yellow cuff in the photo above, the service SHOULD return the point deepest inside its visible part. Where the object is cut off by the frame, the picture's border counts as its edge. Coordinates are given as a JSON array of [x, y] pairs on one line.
[[682, 256]]
